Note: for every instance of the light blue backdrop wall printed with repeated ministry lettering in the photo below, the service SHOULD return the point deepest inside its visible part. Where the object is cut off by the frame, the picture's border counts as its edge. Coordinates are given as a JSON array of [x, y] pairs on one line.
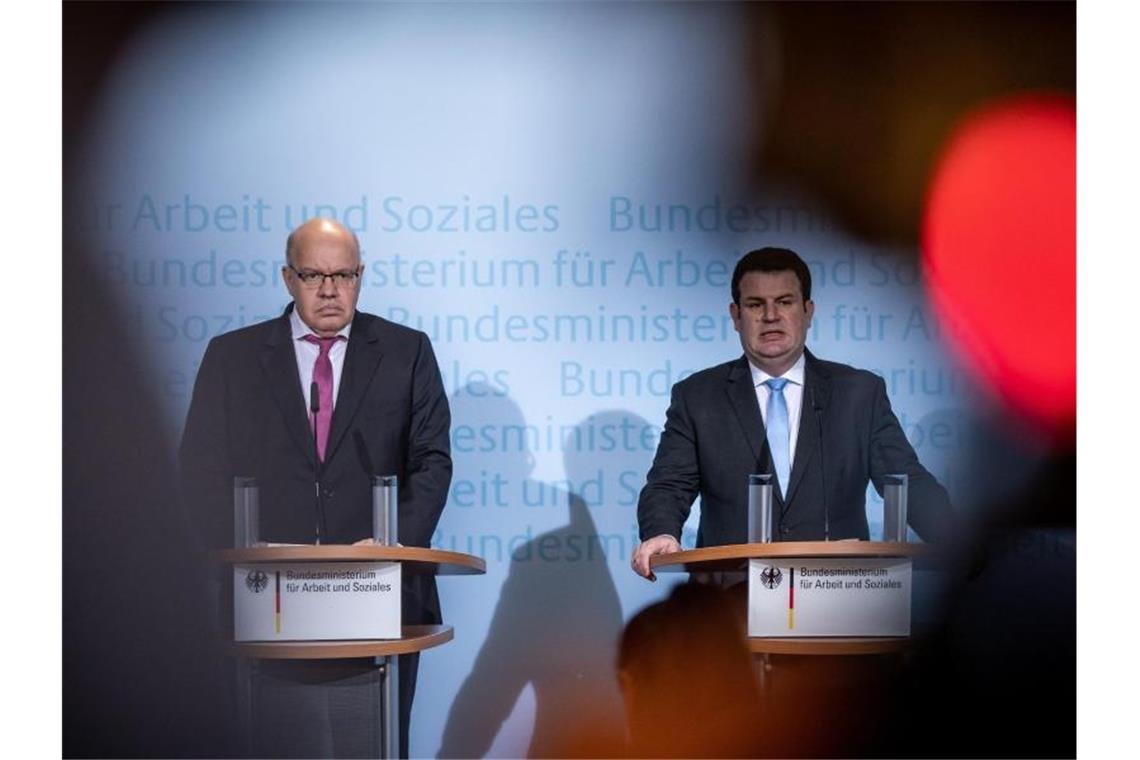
[[557, 195]]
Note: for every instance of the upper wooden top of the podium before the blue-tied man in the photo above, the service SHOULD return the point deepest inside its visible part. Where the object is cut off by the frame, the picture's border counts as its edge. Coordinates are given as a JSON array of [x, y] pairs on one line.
[[736, 557]]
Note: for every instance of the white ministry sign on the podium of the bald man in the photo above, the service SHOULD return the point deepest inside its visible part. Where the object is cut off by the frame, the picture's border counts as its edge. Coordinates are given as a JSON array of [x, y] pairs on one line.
[[306, 602]]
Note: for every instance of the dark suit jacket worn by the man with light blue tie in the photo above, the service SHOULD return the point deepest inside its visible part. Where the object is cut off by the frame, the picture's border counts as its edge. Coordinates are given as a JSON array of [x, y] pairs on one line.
[[714, 438]]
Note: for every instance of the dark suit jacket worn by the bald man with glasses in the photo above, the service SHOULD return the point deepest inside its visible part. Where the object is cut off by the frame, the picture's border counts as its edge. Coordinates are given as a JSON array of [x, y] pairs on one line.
[[248, 419]]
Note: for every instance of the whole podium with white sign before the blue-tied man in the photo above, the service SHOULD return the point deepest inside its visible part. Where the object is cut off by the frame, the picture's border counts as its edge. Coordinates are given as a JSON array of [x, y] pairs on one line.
[[820, 696]]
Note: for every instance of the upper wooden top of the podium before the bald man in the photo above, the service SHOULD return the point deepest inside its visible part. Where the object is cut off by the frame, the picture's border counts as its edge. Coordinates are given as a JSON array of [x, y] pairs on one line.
[[417, 559]]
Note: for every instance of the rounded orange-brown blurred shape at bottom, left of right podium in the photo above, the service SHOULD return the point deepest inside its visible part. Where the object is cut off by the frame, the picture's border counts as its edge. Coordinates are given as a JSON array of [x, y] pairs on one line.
[[688, 681]]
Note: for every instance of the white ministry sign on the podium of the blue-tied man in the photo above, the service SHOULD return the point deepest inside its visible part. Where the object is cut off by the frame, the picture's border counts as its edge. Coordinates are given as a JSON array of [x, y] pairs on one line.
[[829, 598]]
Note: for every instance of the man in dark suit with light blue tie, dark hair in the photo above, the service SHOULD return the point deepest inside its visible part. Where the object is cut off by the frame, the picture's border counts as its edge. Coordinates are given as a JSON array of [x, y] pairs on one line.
[[825, 429]]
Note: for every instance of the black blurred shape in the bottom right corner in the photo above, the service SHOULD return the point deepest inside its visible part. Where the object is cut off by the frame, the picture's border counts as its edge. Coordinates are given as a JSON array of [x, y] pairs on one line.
[[998, 677]]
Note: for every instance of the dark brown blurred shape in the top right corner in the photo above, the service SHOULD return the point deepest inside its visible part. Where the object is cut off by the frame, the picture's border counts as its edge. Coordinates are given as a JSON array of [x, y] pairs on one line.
[[869, 93]]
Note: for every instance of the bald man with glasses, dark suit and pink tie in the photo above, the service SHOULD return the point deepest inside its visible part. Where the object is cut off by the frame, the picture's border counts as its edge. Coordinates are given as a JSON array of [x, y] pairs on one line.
[[381, 410]]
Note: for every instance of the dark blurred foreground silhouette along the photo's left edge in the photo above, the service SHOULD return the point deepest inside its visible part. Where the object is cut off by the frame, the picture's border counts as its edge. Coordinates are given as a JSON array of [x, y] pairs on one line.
[[141, 674]]
